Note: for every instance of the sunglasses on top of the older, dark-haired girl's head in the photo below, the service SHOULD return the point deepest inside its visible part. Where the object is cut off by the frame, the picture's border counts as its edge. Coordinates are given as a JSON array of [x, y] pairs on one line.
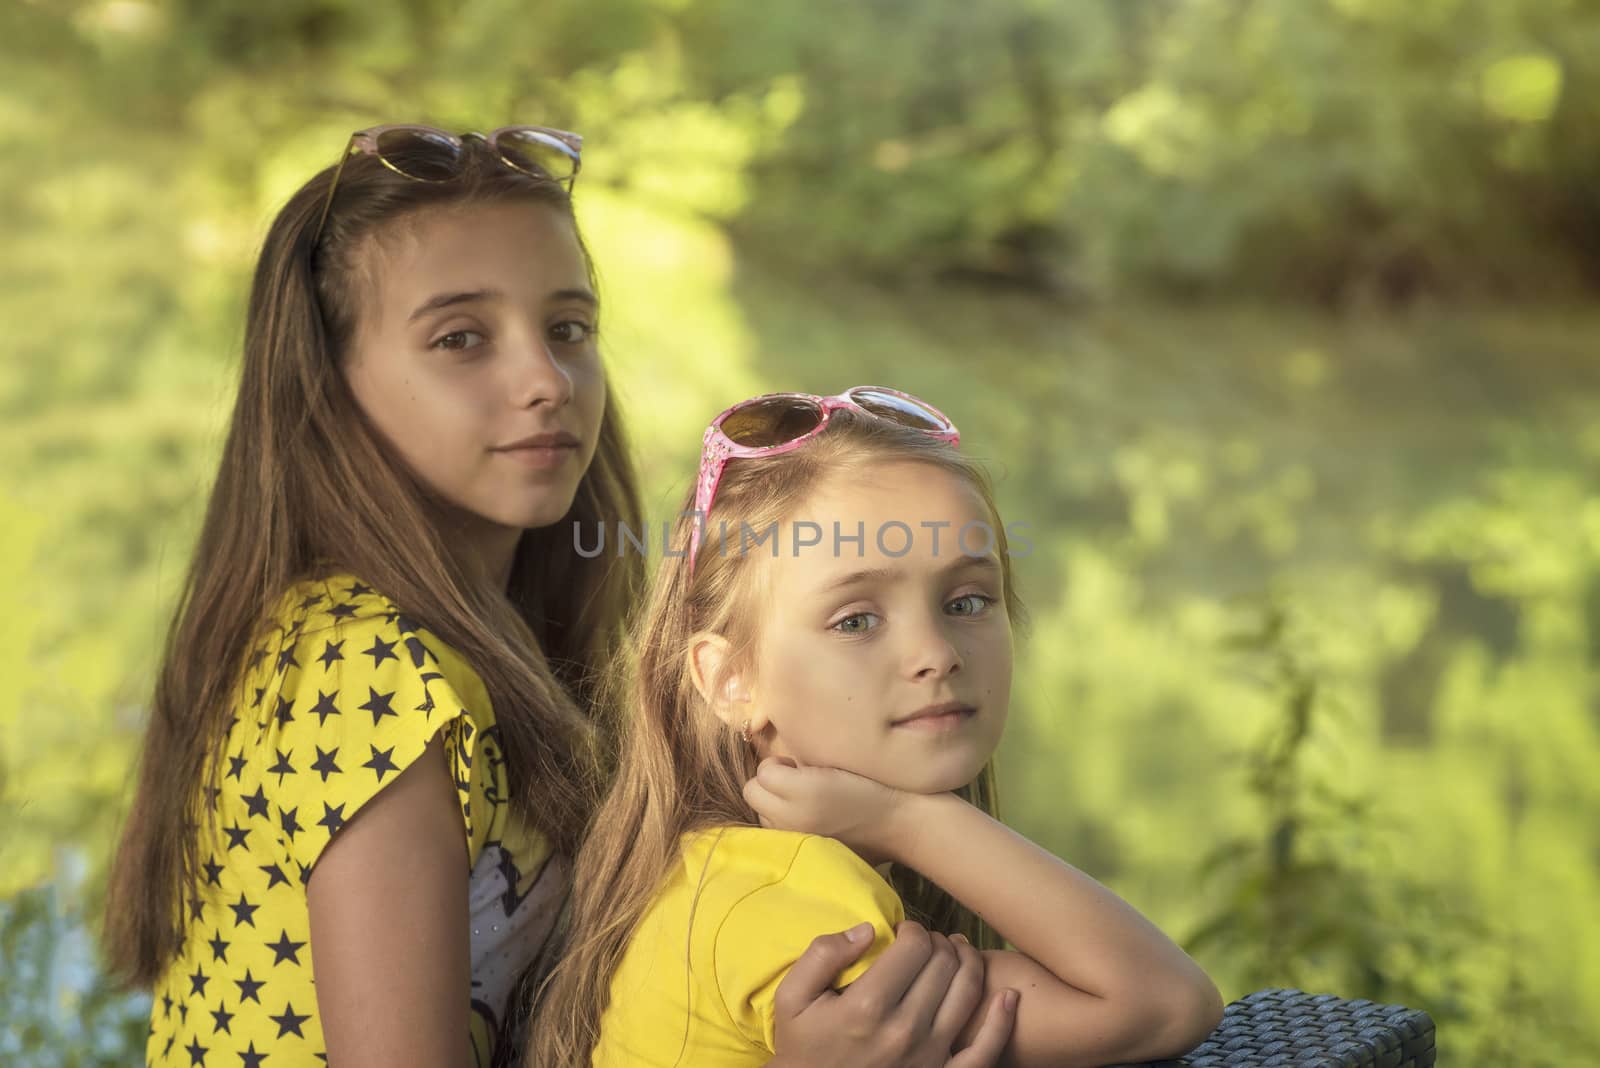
[[433, 156]]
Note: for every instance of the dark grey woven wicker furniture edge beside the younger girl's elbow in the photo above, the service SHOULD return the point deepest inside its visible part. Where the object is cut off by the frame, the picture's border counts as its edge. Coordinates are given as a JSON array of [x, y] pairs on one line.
[[1290, 1029]]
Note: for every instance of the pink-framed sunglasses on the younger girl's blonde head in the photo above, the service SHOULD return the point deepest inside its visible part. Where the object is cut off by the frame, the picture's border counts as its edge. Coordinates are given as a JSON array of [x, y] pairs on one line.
[[780, 423]]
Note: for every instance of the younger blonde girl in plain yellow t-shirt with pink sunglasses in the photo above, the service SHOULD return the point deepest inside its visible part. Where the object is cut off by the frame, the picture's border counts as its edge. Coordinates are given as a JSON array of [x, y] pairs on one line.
[[823, 675]]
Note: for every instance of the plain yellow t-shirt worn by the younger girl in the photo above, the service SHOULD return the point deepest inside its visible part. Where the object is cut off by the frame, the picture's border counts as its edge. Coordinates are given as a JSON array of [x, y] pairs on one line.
[[697, 982]]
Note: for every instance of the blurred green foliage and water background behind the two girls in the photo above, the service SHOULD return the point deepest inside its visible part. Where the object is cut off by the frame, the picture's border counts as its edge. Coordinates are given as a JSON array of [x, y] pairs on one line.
[[1316, 596]]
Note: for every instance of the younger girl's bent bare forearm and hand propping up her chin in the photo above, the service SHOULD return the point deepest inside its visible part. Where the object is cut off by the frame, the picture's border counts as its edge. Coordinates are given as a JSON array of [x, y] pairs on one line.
[[1098, 982]]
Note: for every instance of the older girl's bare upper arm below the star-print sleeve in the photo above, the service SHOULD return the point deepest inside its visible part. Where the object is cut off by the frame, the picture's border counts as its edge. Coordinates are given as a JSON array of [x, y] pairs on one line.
[[390, 927]]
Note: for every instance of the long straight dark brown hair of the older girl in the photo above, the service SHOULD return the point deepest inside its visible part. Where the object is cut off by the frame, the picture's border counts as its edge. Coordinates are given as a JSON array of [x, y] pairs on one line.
[[308, 487]]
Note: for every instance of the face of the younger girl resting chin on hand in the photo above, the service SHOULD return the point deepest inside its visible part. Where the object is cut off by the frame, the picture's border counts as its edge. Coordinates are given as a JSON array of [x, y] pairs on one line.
[[857, 652]]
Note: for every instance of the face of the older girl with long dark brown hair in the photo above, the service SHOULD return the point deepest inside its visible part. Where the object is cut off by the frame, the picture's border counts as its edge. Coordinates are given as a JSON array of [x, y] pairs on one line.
[[476, 357]]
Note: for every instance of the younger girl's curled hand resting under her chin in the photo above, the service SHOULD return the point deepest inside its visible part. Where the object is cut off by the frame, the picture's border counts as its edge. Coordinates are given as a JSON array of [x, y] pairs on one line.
[[855, 810]]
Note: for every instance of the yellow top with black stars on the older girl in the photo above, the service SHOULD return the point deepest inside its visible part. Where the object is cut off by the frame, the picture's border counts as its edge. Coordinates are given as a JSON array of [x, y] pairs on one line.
[[342, 696]]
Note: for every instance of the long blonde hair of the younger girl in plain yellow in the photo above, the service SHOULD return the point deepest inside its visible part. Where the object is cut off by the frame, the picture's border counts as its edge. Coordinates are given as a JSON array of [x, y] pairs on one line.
[[681, 768]]
